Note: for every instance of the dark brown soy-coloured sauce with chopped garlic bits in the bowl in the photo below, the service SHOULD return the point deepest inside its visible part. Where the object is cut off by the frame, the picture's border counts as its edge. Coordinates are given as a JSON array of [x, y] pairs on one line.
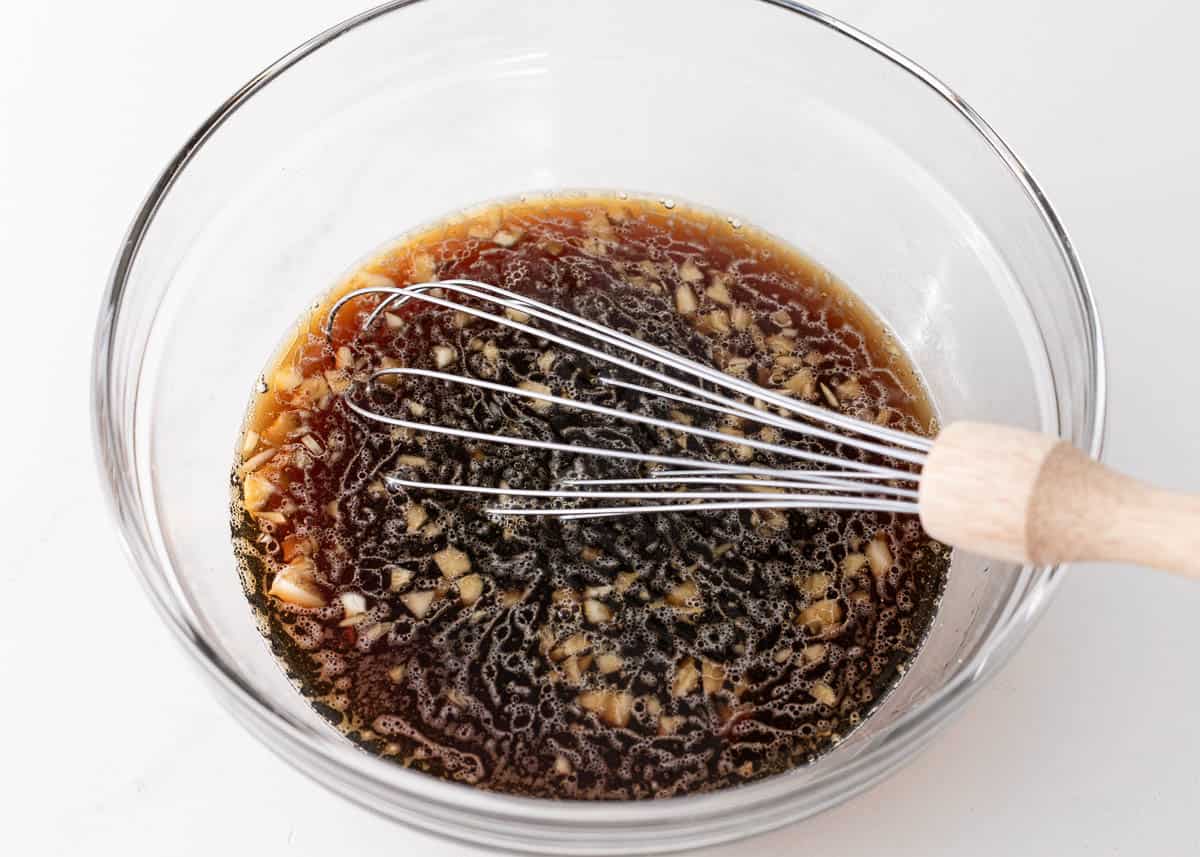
[[610, 658]]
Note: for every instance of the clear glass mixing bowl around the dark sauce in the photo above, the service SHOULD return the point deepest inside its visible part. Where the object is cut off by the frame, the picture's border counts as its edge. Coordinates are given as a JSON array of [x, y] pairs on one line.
[[767, 111]]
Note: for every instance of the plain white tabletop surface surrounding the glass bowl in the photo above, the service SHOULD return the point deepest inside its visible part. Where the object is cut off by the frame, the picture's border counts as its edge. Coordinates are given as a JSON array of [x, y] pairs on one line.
[[1085, 745]]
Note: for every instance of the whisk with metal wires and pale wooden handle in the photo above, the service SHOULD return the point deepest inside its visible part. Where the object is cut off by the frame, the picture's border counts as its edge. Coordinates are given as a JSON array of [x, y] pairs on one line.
[[995, 490]]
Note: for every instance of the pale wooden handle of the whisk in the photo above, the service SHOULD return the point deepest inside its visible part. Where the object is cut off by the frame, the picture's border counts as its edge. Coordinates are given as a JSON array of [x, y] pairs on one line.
[[1017, 495]]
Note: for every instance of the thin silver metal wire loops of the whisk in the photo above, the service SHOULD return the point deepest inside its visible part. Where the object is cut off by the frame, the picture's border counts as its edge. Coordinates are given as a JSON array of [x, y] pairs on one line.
[[842, 484]]
